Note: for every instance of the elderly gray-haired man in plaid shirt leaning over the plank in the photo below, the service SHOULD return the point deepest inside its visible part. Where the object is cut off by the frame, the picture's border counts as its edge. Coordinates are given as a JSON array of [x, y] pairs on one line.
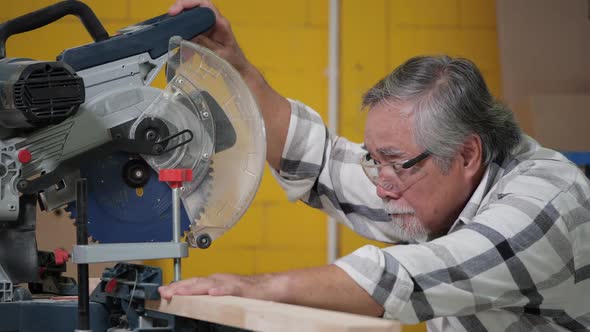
[[495, 225]]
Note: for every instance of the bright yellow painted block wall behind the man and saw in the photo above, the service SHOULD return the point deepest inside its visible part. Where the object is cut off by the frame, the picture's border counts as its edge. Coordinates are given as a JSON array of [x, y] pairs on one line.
[[288, 41]]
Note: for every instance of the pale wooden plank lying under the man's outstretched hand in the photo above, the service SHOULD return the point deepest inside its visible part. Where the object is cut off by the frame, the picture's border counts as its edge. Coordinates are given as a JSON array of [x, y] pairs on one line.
[[263, 316]]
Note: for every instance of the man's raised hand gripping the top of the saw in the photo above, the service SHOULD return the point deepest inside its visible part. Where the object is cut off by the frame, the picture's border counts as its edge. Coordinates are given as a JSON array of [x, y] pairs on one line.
[[220, 39]]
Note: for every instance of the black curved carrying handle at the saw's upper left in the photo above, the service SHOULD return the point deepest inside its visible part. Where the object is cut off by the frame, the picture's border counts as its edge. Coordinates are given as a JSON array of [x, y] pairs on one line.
[[48, 15]]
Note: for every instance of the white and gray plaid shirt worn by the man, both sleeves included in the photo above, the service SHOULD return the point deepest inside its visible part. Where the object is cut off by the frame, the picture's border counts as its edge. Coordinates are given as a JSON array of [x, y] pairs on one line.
[[516, 259]]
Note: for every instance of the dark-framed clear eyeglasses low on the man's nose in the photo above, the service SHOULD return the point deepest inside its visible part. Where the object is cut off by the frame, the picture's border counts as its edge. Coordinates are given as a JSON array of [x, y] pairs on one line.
[[394, 176]]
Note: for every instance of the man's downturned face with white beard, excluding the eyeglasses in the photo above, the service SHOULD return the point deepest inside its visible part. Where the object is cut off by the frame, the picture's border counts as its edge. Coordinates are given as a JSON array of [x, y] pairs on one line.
[[433, 200]]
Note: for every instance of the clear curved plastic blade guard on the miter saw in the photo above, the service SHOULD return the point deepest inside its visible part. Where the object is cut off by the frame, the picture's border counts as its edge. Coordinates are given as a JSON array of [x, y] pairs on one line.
[[226, 146]]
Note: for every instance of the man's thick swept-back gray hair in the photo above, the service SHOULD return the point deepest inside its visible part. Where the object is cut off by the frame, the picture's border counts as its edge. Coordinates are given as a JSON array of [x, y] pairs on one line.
[[451, 102]]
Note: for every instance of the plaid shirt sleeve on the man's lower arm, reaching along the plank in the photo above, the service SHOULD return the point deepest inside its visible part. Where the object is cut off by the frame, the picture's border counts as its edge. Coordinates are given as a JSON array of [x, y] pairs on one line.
[[513, 255]]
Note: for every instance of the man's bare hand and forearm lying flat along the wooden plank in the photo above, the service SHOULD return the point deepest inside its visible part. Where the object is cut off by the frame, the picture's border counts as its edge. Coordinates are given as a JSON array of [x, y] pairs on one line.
[[326, 287]]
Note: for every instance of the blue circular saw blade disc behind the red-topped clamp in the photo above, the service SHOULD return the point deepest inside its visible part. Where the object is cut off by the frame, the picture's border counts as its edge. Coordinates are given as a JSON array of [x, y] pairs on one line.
[[118, 213]]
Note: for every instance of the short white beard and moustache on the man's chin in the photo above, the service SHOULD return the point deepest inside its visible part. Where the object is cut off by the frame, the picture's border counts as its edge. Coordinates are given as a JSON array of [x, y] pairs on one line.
[[406, 228]]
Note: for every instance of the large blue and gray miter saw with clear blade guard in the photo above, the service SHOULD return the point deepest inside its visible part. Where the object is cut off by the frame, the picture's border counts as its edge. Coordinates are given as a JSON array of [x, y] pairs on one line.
[[93, 115]]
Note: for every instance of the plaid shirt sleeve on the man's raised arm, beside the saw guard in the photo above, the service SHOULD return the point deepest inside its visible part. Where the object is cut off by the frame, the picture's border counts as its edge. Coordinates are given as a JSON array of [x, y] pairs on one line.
[[323, 170]]
